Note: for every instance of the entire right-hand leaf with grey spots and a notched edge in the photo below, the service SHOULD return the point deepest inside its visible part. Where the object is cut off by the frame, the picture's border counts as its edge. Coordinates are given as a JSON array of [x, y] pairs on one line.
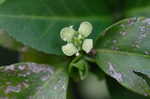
[[123, 49]]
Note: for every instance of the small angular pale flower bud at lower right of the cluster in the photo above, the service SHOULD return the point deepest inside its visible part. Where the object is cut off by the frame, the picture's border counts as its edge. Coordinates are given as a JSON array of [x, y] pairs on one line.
[[87, 45]]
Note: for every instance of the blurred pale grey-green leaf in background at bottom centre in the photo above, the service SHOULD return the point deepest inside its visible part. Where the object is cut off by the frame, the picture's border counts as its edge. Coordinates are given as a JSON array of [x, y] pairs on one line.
[[94, 88]]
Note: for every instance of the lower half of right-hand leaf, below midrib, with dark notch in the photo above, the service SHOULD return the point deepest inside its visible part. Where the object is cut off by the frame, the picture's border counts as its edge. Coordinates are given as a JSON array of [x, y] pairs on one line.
[[121, 66]]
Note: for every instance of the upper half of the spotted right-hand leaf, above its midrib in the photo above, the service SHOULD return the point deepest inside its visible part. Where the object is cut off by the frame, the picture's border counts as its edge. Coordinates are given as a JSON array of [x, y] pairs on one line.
[[130, 35]]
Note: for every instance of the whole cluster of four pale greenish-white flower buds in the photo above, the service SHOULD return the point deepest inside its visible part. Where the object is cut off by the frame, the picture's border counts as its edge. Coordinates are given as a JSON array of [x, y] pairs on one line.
[[77, 40]]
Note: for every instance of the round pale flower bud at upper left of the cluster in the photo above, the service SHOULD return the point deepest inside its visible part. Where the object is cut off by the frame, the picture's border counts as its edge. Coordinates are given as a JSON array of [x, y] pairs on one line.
[[67, 33]]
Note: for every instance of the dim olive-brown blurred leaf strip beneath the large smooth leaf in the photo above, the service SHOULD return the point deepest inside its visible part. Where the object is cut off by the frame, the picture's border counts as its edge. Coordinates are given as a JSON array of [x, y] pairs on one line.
[[27, 54]]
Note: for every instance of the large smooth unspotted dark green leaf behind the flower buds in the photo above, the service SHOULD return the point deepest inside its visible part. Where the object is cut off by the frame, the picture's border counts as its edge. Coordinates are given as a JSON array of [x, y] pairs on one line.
[[39, 25]]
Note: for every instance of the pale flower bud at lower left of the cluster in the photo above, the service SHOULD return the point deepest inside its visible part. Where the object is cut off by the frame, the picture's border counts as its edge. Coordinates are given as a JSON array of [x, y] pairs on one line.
[[69, 49]]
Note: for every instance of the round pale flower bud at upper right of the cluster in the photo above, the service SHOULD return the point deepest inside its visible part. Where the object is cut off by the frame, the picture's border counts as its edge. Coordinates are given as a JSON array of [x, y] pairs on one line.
[[85, 29]]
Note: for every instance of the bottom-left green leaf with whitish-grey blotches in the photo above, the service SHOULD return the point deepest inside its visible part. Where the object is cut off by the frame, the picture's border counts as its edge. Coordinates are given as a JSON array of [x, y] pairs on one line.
[[30, 80]]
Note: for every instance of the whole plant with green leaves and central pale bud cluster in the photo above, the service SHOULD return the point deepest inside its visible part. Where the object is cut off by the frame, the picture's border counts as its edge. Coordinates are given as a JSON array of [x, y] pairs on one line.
[[69, 41]]
